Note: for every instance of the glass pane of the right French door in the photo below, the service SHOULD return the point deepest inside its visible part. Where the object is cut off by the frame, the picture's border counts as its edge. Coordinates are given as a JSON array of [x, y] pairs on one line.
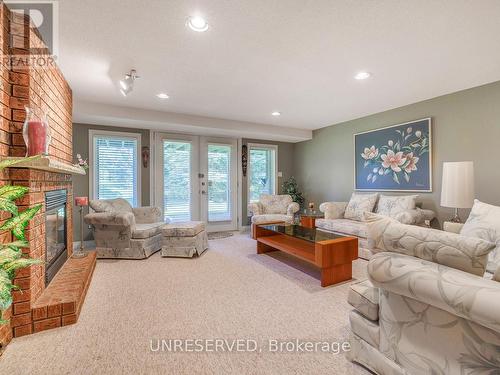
[[219, 183]]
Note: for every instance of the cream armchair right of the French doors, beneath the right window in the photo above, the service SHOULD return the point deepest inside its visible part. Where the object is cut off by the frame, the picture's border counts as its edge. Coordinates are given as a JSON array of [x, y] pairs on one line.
[[273, 208]]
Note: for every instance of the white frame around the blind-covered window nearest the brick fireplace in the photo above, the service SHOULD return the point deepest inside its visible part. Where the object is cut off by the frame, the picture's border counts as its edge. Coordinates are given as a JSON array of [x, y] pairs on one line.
[[117, 135]]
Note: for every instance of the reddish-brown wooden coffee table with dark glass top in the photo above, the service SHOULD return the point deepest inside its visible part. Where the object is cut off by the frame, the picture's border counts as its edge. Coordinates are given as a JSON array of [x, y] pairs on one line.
[[332, 253]]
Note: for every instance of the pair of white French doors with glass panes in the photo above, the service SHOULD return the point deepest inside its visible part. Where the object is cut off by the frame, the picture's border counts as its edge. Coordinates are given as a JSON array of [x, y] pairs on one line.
[[196, 179]]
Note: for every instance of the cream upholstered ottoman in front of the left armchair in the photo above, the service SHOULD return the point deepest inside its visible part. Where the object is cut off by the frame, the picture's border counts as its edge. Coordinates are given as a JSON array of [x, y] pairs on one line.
[[185, 239]]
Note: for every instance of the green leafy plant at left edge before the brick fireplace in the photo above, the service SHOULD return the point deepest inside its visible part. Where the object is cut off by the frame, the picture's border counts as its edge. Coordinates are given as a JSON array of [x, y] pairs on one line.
[[11, 256]]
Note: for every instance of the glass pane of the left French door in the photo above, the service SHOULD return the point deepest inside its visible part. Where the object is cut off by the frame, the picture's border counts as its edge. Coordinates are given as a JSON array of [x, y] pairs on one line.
[[177, 180]]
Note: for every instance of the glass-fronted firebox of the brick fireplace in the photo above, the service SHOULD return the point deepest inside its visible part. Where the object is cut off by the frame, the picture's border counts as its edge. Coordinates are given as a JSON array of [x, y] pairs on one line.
[[55, 232]]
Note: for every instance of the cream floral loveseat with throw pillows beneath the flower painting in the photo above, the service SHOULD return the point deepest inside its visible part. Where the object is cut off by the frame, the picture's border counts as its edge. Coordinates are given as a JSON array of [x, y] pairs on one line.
[[401, 208]]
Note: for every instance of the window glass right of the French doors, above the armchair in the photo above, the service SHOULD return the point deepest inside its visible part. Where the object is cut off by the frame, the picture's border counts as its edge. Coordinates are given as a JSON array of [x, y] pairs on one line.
[[262, 172]]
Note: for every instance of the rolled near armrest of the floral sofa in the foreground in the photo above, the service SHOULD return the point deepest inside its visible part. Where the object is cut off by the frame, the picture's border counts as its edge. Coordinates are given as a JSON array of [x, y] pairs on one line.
[[462, 294]]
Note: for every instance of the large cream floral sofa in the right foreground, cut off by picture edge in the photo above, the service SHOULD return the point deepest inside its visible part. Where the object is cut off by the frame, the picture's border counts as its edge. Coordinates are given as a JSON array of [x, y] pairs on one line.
[[428, 307]]
